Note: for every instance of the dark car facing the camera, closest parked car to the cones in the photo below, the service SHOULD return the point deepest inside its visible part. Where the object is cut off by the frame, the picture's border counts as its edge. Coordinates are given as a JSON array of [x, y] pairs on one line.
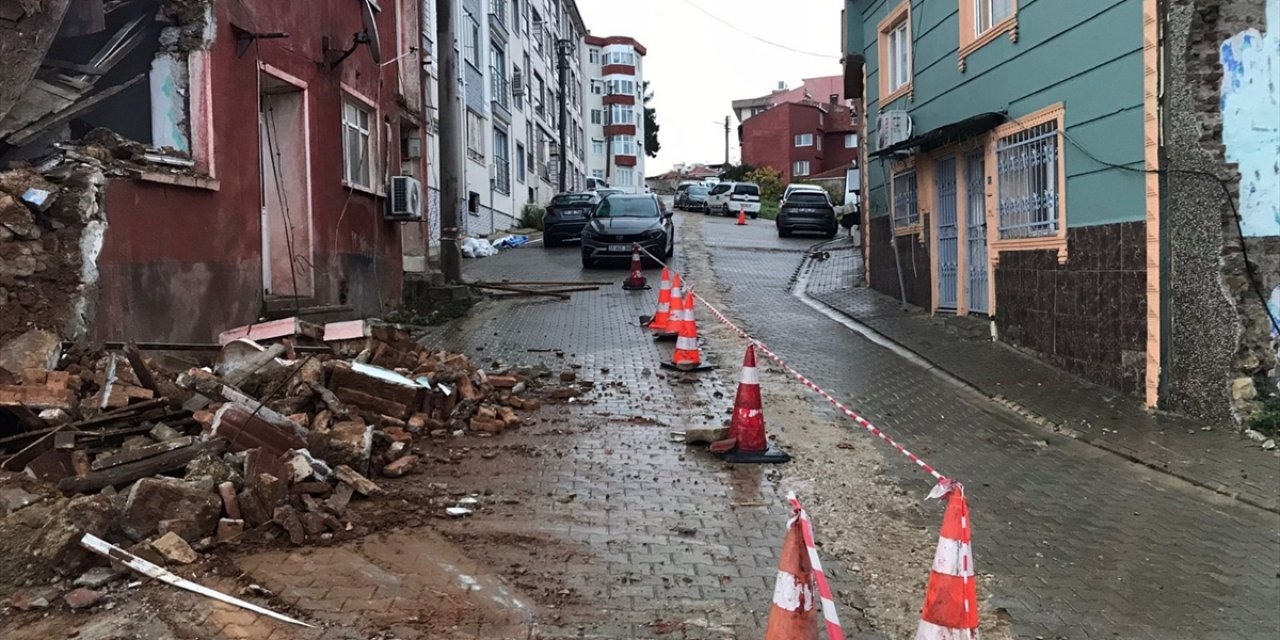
[[620, 222]]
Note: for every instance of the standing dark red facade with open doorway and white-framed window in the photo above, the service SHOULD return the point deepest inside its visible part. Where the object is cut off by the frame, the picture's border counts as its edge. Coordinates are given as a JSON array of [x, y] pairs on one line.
[[294, 148]]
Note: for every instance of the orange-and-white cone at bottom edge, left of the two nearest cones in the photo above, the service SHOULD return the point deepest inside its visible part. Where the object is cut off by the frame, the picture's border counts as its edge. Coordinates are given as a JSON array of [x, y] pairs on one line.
[[794, 615]]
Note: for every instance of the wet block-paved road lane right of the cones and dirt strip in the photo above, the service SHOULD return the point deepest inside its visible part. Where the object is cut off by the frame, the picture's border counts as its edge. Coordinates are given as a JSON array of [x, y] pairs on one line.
[[1080, 542]]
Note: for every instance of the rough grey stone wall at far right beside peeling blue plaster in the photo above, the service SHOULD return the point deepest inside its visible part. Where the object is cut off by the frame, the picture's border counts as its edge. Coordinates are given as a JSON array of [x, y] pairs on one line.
[[1218, 337]]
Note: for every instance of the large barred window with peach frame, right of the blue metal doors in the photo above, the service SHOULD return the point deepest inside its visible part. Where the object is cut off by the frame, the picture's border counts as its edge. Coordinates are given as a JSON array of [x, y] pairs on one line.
[[1028, 191]]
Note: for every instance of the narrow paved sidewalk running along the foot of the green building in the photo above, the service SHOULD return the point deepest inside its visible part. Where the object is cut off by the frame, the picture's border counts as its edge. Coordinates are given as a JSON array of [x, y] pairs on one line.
[[1212, 456]]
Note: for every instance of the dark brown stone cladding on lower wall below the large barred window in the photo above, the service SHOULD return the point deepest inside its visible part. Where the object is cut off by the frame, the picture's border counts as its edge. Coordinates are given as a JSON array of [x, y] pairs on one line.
[[1089, 316]]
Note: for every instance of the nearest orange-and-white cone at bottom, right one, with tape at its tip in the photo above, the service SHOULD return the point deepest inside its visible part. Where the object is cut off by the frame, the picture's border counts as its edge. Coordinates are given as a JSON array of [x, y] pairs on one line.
[[952, 602]]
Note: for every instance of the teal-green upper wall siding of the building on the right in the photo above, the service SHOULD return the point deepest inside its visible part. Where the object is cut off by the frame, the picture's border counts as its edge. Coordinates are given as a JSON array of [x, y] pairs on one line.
[[1086, 54]]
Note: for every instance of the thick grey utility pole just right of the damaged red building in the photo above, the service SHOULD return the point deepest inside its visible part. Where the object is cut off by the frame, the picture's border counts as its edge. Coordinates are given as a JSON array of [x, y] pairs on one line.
[[451, 141]]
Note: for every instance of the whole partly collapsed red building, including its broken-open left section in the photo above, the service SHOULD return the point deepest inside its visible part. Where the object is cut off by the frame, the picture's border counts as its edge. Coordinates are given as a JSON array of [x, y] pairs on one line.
[[175, 168]]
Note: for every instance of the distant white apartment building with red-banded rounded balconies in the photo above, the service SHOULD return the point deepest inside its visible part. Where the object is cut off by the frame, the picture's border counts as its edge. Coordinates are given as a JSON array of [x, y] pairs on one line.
[[615, 108]]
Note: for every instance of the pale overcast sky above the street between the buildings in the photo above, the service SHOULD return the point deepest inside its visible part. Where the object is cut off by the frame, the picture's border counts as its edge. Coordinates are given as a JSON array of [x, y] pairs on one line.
[[698, 66]]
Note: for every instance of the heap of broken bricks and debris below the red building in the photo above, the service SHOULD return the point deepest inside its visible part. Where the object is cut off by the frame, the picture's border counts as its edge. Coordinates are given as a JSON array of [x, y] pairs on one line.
[[287, 427]]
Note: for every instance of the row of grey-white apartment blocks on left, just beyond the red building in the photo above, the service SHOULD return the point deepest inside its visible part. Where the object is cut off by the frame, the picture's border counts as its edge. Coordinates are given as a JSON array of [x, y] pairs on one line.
[[510, 89]]
